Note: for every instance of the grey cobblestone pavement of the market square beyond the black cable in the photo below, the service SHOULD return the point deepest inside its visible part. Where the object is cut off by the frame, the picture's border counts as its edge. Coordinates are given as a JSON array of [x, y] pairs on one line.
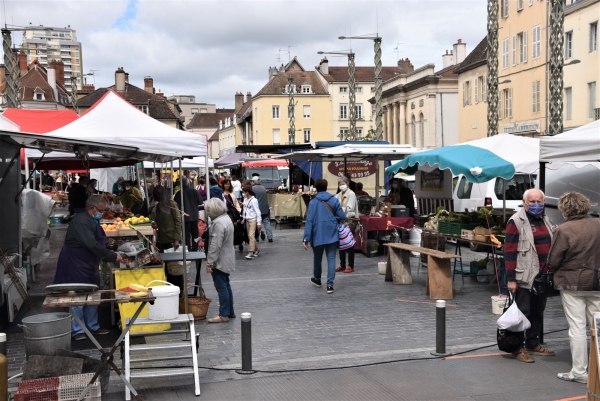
[[298, 326]]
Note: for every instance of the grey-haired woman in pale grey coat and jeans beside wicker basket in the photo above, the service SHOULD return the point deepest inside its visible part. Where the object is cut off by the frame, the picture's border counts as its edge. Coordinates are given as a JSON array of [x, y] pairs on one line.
[[220, 258]]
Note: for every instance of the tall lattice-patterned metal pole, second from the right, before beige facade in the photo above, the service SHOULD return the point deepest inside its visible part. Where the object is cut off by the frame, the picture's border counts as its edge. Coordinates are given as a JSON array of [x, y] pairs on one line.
[[492, 60]]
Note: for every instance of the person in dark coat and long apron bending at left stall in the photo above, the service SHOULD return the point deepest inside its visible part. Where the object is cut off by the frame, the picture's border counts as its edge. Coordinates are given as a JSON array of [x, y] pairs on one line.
[[85, 247]]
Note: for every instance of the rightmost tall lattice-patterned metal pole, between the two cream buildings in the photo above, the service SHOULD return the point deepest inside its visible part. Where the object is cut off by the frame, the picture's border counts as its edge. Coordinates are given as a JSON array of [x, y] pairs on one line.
[[557, 18]]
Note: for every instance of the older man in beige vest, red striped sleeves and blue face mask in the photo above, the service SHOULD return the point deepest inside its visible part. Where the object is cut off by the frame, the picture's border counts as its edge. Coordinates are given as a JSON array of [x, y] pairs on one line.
[[526, 249]]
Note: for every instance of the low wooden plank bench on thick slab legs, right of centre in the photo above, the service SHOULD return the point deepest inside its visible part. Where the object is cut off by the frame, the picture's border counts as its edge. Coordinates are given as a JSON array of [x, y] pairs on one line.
[[439, 272]]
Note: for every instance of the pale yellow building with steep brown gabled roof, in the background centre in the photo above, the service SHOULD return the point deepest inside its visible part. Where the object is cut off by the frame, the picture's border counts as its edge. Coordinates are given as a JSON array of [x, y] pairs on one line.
[[313, 108]]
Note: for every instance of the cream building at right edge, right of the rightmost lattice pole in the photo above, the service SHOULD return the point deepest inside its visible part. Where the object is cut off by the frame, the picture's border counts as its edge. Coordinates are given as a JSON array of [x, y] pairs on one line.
[[581, 80]]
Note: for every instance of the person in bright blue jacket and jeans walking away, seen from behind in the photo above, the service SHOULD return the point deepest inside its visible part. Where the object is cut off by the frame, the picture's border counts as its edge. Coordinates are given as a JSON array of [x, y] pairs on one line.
[[321, 231]]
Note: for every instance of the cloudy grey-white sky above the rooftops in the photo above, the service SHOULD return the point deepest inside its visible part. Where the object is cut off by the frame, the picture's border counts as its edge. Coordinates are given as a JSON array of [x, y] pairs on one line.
[[211, 49]]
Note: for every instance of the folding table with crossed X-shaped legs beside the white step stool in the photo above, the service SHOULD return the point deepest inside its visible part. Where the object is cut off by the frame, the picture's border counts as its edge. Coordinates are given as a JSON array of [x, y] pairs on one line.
[[95, 298]]
